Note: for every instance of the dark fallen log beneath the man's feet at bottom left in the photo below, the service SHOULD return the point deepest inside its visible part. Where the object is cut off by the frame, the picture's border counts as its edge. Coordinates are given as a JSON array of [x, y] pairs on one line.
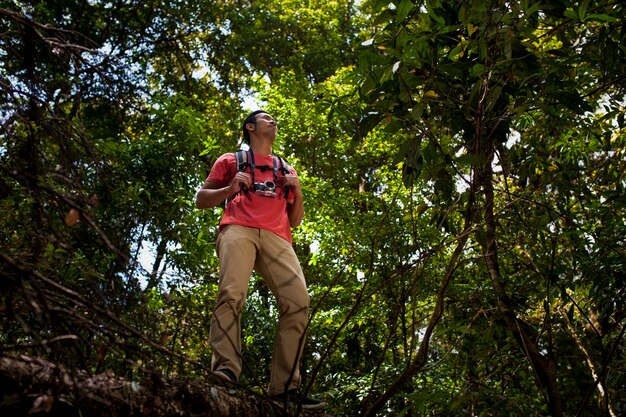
[[34, 386]]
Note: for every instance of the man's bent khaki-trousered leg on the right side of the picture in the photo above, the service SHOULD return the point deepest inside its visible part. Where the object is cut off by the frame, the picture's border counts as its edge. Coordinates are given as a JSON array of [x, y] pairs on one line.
[[280, 268]]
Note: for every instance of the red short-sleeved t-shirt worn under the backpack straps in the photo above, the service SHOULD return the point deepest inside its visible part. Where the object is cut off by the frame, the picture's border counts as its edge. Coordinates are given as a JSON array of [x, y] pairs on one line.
[[249, 209]]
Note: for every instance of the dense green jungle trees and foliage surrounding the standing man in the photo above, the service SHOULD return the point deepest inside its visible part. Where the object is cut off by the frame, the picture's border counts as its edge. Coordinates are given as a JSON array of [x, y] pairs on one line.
[[463, 166]]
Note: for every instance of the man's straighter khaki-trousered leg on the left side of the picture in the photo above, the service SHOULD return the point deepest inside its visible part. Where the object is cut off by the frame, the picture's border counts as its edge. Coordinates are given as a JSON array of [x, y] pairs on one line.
[[236, 248]]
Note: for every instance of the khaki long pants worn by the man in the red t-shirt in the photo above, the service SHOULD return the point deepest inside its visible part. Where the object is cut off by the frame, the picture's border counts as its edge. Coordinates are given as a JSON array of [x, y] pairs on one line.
[[240, 250]]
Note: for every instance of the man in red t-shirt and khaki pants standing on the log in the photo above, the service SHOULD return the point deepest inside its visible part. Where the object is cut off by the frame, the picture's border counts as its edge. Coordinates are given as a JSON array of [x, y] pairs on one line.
[[255, 234]]
